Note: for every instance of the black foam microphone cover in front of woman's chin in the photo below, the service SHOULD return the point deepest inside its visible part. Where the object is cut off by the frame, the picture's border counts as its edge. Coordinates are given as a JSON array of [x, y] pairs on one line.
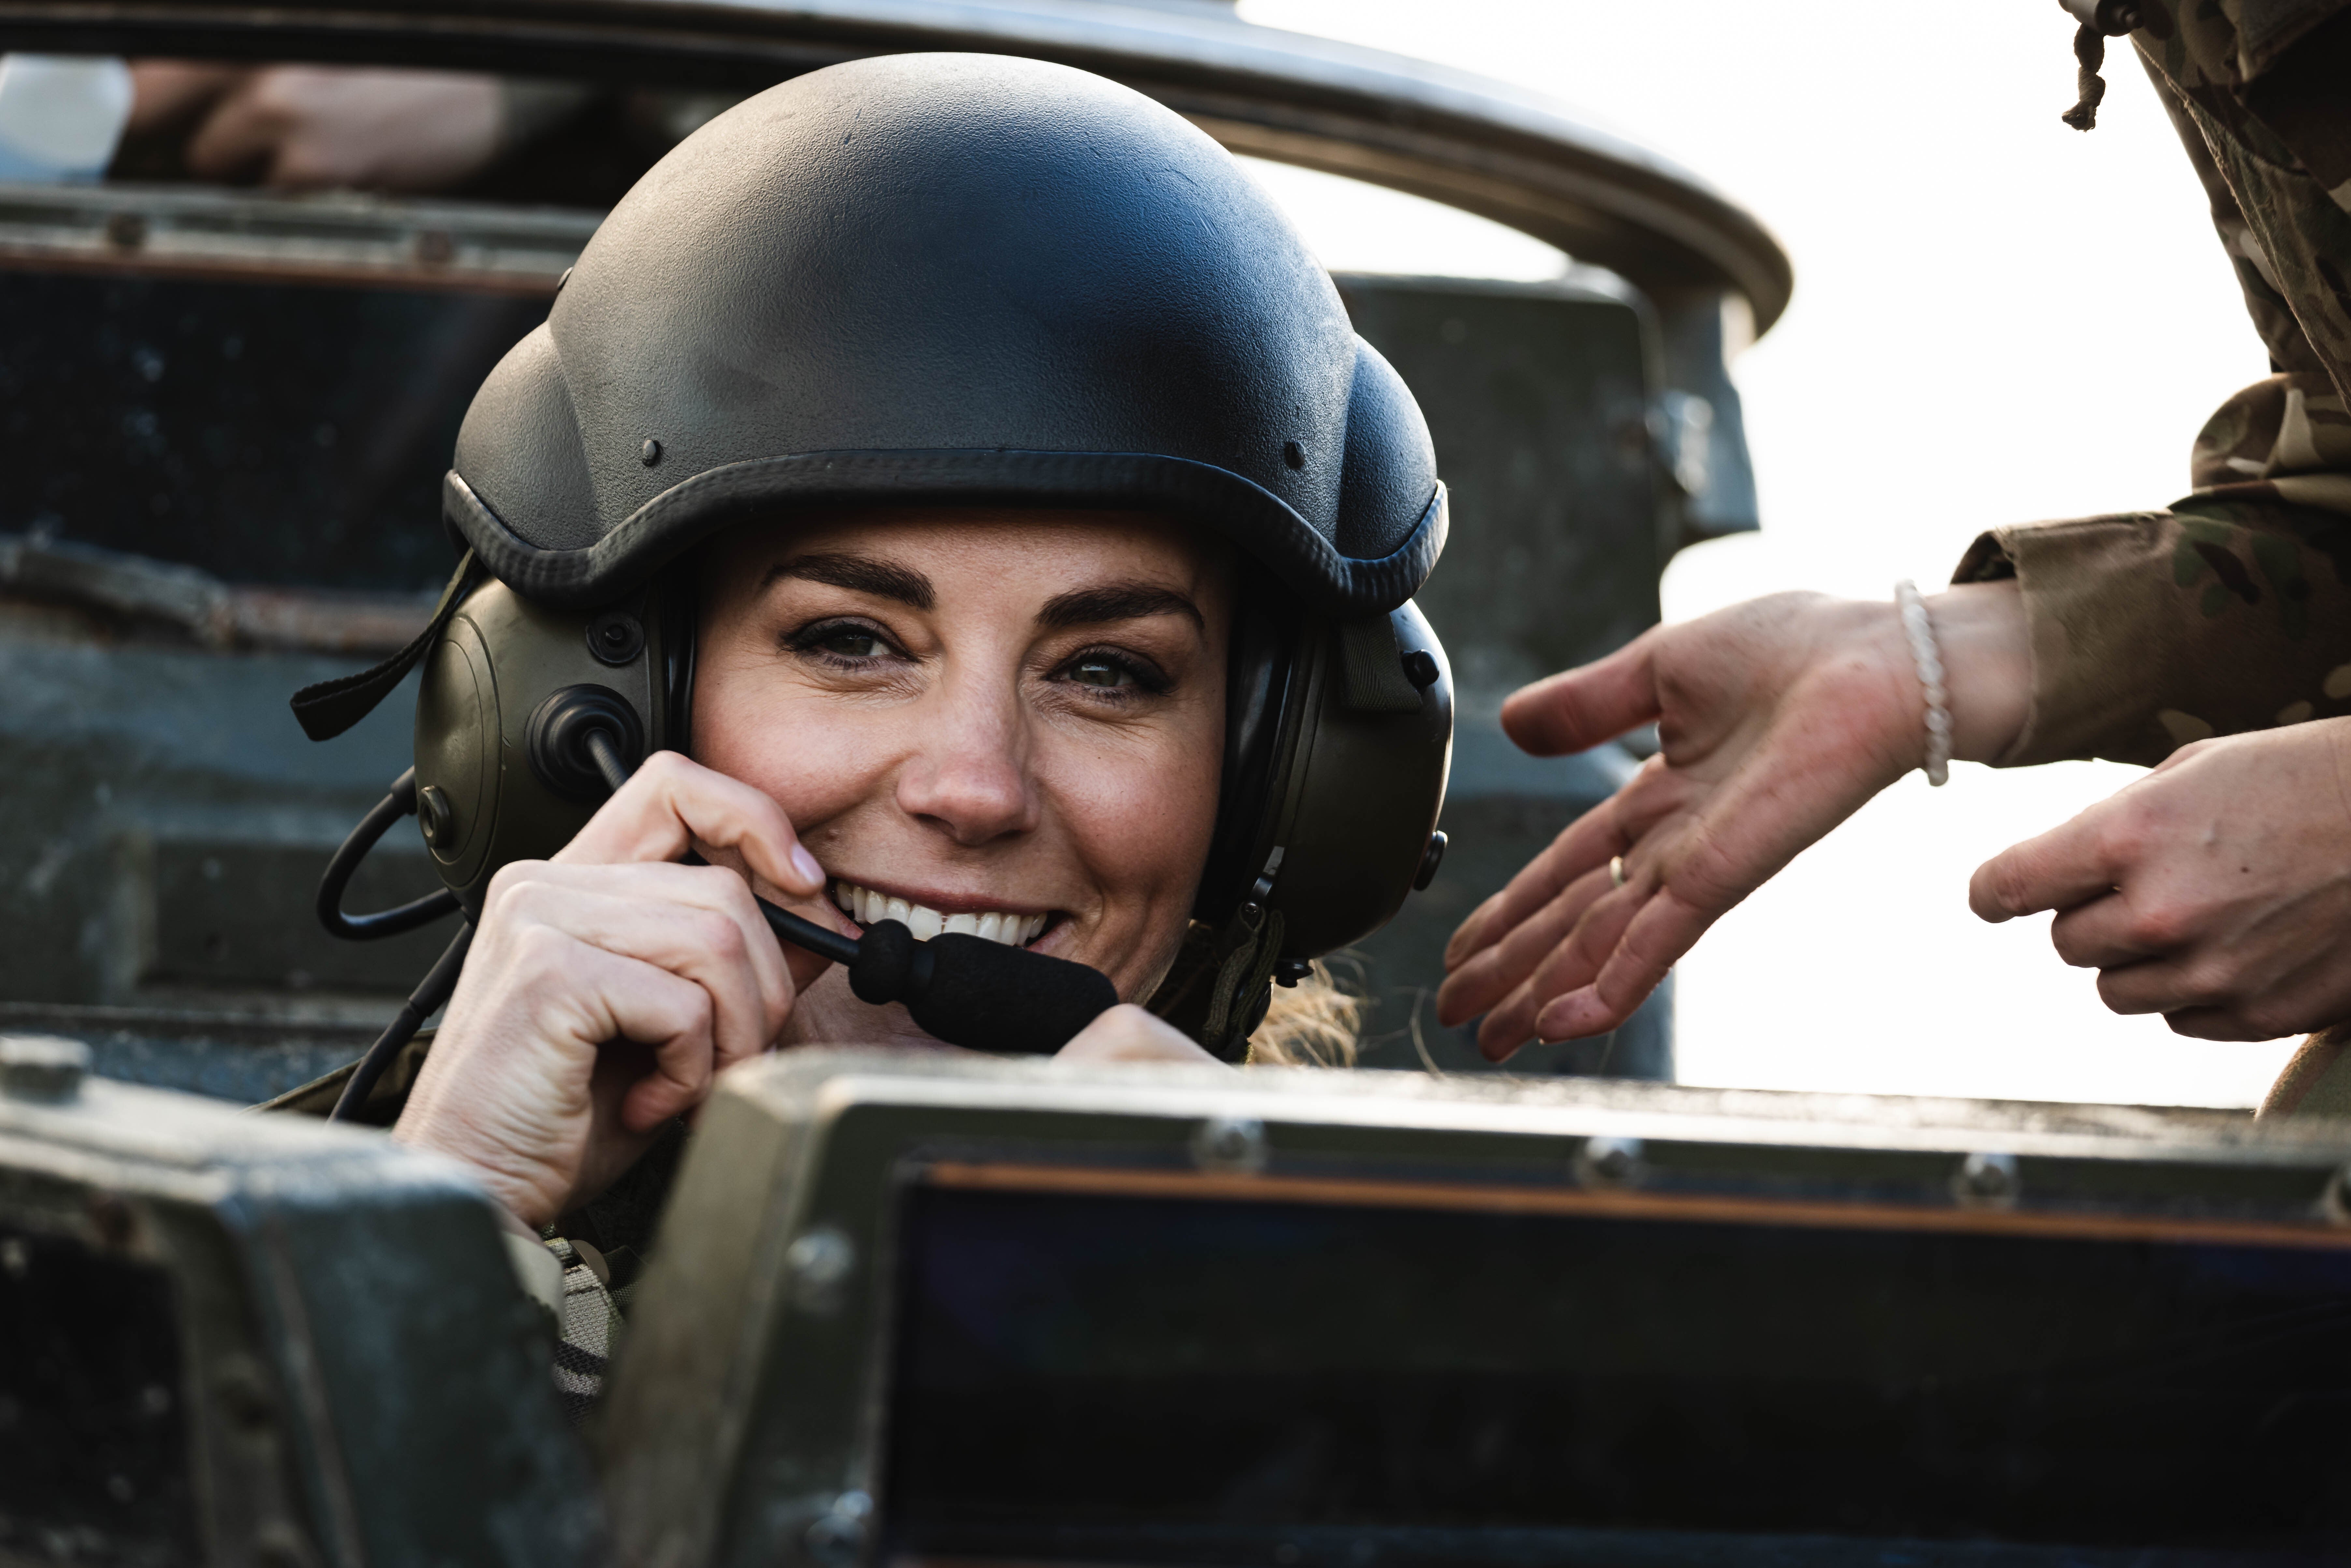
[[977, 993]]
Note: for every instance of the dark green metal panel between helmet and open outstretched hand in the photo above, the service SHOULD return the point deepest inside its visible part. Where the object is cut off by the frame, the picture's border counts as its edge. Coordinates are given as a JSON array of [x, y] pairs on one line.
[[1543, 406]]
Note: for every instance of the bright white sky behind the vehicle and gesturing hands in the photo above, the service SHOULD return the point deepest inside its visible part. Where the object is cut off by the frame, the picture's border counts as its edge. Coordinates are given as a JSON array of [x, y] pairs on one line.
[[1997, 321]]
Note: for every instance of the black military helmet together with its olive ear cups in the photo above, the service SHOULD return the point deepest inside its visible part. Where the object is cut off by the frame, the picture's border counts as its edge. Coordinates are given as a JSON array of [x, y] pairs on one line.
[[935, 281]]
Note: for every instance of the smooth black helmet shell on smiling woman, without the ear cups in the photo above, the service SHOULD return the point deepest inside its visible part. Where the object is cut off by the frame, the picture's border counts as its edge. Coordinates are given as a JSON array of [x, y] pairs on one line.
[[946, 279]]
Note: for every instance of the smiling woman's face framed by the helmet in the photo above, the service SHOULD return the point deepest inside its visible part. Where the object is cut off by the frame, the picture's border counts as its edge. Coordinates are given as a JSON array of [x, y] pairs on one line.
[[1010, 723]]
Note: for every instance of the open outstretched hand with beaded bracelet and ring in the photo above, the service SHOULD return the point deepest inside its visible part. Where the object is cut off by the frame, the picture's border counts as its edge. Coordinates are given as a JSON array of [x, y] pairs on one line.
[[1776, 718]]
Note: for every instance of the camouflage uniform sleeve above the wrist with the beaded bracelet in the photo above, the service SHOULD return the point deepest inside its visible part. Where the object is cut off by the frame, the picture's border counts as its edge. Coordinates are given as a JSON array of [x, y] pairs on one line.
[[2230, 610]]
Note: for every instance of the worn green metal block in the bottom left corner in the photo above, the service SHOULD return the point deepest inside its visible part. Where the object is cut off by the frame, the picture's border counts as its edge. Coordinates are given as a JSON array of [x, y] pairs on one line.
[[340, 1367]]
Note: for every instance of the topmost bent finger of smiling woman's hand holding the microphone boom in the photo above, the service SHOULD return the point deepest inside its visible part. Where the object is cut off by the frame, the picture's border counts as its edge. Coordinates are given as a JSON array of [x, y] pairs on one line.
[[674, 805]]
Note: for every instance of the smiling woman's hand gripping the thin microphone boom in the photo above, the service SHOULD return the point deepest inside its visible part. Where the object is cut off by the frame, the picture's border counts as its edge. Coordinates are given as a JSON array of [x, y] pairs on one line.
[[610, 986]]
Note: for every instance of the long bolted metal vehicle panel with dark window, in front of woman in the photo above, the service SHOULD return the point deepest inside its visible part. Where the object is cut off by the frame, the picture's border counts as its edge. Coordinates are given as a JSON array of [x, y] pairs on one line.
[[753, 1407]]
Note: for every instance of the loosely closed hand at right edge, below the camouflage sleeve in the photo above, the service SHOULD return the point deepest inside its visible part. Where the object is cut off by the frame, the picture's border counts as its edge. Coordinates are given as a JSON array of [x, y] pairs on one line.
[[2216, 890]]
